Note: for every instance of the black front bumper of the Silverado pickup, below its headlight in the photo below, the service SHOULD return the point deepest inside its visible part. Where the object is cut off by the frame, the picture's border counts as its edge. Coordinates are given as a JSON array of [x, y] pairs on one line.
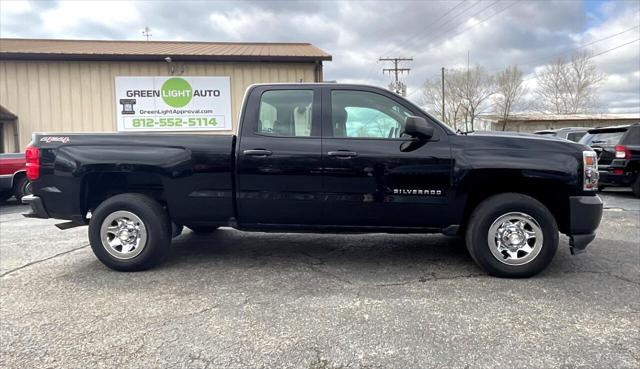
[[585, 213]]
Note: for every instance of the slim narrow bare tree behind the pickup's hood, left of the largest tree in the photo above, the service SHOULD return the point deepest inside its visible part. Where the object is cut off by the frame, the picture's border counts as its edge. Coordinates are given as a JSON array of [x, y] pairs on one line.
[[509, 91]]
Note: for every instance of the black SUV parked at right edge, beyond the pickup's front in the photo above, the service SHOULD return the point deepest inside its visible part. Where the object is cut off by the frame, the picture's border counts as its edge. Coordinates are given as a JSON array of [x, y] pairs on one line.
[[618, 150]]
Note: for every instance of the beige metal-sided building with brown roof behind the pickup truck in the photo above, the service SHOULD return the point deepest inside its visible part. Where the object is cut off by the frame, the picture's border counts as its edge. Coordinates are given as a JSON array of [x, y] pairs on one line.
[[69, 85]]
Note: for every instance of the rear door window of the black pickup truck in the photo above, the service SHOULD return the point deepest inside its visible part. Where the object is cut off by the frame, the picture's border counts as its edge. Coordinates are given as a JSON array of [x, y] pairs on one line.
[[286, 113]]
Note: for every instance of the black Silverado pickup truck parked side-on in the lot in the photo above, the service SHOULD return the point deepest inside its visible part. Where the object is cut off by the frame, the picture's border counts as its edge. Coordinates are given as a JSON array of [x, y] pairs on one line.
[[321, 158]]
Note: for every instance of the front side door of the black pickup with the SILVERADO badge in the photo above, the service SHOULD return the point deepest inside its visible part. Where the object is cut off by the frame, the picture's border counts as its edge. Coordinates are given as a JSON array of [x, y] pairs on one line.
[[375, 174]]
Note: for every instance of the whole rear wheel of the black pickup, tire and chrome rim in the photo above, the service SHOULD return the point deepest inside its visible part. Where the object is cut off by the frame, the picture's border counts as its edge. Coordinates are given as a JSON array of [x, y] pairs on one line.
[[130, 232]]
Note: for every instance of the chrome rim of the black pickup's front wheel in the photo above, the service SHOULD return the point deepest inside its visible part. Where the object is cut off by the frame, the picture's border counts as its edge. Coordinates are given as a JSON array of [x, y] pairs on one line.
[[515, 238]]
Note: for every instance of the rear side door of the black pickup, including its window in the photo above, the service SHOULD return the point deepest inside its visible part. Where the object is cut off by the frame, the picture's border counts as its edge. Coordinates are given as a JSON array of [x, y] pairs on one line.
[[279, 176]]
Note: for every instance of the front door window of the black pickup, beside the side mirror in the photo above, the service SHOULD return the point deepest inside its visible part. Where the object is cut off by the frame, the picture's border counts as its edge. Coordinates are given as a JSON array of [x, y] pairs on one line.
[[366, 115]]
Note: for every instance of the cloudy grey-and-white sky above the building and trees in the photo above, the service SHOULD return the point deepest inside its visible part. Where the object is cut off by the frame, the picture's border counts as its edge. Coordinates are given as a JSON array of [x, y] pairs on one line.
[[434, 33]]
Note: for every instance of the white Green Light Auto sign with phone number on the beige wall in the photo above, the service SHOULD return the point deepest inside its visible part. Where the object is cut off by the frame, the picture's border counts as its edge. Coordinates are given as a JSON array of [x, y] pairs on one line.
[[173, 103]]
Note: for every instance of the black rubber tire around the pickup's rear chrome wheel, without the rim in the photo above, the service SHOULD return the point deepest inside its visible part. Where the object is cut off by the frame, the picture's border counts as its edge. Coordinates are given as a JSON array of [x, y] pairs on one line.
[[155, 221]]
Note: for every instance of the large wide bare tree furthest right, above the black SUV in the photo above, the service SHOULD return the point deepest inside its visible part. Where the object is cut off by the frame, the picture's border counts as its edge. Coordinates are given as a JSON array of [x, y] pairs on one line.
[[569, 87]]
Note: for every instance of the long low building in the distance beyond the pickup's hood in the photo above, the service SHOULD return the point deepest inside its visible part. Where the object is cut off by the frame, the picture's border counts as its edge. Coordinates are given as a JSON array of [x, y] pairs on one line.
[[540, 122]]
